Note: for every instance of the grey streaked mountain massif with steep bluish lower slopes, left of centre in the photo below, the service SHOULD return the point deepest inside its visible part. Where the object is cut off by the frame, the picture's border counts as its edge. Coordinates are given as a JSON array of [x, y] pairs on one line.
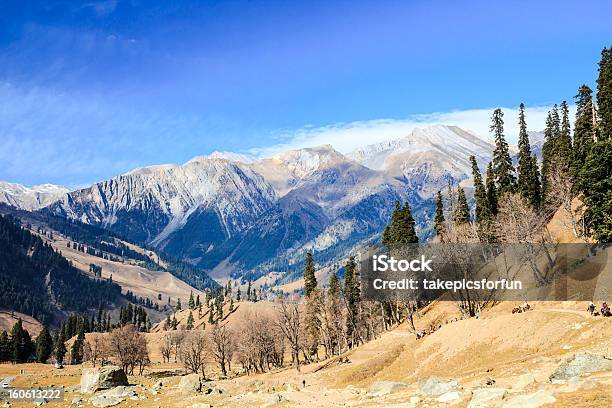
[[187, 209]]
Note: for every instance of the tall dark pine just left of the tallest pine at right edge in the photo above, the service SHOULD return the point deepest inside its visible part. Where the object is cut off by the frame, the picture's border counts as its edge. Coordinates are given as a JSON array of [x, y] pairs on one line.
[[584, 131]]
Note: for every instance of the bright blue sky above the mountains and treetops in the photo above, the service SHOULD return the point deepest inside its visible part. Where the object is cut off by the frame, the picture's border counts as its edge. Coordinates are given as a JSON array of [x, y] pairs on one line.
[[92, 89]]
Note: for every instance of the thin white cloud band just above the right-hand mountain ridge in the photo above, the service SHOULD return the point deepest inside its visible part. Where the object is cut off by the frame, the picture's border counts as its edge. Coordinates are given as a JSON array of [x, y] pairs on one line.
[[345, 137]]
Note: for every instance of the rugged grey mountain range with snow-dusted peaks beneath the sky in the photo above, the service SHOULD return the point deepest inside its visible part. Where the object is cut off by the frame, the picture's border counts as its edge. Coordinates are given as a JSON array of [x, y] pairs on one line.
[[233, 214]]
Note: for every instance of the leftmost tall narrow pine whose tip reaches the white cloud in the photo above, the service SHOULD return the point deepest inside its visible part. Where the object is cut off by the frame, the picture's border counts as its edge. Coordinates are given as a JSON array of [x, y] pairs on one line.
[[502, 163]]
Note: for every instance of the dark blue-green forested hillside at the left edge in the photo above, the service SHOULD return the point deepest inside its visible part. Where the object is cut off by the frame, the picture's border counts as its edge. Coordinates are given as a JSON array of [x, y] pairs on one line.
[[38, 281]]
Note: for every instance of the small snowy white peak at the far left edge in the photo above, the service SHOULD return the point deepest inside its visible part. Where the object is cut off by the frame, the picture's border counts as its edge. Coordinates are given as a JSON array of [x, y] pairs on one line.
[[30, 198]]
